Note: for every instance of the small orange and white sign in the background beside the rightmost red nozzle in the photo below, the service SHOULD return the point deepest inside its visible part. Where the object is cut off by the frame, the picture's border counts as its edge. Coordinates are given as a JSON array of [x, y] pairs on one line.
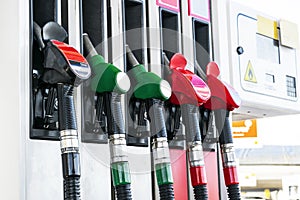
[[244, 129]]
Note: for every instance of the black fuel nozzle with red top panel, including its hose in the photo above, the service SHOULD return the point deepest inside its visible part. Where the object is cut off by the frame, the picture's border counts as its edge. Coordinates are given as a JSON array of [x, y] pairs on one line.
[[64, 69]]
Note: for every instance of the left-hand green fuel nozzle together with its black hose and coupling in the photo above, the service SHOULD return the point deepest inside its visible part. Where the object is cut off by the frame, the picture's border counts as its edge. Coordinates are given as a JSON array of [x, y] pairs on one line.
[[109, 83]]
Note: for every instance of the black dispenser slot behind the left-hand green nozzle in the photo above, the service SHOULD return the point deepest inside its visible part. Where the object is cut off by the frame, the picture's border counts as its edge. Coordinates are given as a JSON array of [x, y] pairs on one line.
[[95, 24]]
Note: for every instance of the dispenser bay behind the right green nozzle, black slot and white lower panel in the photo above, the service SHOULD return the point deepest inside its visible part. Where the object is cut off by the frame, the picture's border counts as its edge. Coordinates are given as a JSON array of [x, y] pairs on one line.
[[133, 15]]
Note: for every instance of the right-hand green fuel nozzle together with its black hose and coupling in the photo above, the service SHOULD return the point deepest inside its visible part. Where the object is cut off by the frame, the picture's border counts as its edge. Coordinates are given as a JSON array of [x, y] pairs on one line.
[[151, 89]]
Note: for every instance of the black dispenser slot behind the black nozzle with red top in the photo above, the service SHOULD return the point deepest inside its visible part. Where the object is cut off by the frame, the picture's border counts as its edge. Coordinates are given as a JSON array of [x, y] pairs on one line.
[[43, 98]]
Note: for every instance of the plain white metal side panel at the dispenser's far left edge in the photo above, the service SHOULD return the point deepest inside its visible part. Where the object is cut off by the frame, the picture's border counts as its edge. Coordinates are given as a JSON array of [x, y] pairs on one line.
[[11, 172]]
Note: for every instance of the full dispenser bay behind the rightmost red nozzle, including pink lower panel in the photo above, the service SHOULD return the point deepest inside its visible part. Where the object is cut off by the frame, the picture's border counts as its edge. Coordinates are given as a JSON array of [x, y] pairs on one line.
[[197, 48]]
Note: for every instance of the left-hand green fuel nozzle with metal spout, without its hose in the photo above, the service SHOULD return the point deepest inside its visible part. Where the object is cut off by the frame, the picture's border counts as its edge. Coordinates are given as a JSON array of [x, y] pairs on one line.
[[107, 77]]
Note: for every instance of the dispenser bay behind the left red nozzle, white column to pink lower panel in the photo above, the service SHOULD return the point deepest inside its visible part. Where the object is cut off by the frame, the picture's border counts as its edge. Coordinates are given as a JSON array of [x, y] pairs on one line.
[[165, 39]]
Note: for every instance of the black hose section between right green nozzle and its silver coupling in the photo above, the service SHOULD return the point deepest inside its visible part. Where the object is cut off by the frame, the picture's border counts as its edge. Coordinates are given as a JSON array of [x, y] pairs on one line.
[[155, 110]]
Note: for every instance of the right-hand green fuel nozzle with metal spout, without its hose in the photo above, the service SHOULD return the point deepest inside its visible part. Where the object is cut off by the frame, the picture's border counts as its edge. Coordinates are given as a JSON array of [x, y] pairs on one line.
[[146, 85]]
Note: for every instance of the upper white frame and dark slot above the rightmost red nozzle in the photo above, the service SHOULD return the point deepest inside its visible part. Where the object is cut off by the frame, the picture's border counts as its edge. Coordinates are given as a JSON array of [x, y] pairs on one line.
[[196, 28]]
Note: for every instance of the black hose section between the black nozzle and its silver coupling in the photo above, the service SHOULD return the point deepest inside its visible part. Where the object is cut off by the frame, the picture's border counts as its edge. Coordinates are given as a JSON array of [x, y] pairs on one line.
[[66, 108]]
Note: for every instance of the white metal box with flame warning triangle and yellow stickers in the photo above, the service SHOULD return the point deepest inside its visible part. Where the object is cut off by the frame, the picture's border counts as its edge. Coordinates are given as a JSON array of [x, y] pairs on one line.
[[265, 98]]
